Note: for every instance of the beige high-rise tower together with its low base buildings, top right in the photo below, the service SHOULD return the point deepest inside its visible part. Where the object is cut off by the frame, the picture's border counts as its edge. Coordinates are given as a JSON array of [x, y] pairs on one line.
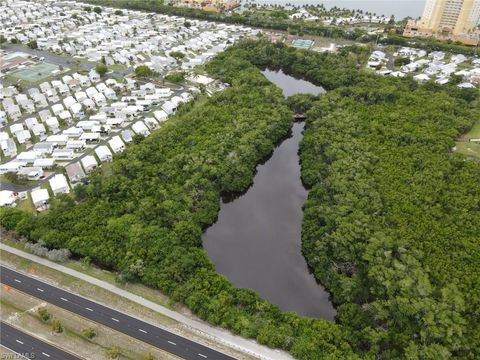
[[448, 19]]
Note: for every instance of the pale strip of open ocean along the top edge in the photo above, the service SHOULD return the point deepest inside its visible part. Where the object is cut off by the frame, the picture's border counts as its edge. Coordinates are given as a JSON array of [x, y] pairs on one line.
[[399, 8]]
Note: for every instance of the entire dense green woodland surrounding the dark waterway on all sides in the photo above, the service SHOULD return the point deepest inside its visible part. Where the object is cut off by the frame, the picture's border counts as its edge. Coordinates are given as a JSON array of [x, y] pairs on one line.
[[391, 224]]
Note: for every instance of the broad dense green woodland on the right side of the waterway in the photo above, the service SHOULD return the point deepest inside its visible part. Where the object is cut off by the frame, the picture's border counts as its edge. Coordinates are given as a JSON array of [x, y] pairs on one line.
[[392, 222]]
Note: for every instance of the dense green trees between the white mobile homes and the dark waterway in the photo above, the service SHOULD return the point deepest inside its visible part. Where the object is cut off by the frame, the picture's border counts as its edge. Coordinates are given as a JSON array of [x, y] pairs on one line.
[[144, 218]]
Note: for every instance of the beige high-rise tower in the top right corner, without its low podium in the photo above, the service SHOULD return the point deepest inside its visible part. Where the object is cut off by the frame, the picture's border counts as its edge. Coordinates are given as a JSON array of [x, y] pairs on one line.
[[451, 16]]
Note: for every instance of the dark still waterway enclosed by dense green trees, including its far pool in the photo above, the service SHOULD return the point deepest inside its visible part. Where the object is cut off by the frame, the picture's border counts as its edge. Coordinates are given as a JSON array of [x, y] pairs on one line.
[[256, 241]]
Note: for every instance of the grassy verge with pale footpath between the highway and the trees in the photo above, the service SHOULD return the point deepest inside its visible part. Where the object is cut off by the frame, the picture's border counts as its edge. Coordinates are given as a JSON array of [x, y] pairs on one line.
[[101, 292]]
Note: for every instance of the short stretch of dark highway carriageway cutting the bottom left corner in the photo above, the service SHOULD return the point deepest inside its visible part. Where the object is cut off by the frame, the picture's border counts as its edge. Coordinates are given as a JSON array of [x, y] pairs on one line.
[[29, 347]]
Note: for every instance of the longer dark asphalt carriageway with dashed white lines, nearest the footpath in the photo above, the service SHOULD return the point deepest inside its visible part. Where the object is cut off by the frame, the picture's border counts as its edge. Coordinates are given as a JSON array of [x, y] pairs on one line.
[[104, 315]]
